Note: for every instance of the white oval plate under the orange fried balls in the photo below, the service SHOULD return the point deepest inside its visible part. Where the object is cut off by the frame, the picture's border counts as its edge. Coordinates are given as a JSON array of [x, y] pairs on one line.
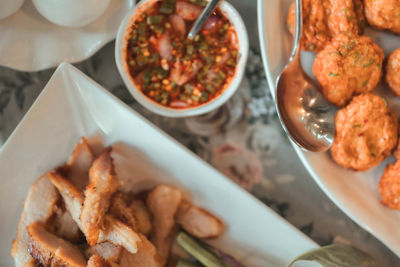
[[356, 193]]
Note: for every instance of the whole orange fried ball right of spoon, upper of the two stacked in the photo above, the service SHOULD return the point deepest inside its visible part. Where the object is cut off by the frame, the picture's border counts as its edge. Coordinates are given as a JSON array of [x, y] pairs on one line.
[[348, 66]]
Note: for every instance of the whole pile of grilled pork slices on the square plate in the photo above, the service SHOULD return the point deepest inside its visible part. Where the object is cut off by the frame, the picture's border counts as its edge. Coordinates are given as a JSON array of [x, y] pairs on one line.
[[65, 223]]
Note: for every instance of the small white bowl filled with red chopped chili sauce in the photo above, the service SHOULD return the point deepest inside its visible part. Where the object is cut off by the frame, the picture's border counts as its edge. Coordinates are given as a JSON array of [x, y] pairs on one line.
[[172, 75]]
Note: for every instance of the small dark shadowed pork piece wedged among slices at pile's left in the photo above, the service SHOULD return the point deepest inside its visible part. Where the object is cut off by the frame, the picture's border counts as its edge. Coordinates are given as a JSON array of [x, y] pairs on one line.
[[63, 225]]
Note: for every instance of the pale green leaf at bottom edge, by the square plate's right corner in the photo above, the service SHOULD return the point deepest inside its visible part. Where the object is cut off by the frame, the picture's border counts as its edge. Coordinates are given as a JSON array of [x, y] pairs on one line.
[[337, 255]]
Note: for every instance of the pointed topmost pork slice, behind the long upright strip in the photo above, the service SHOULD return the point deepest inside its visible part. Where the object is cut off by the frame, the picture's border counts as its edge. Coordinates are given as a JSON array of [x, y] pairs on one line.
[[79, 163]]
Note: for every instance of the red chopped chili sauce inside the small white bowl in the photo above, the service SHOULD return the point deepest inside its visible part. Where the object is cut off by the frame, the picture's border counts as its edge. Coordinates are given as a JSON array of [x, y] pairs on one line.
[[173, 70]]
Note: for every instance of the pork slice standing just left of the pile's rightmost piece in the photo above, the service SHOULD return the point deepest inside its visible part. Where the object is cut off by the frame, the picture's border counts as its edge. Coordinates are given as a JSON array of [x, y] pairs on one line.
[[163, 202]]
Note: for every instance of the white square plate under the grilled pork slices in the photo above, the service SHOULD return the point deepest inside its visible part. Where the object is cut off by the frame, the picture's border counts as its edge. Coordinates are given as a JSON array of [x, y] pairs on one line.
[[71, 106]]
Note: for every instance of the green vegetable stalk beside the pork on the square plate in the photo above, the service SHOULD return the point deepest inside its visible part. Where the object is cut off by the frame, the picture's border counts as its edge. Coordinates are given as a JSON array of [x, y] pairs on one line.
[[198, 251]]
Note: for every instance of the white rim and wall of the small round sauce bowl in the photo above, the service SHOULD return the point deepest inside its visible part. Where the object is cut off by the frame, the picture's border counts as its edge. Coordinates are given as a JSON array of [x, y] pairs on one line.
[[120, 49]]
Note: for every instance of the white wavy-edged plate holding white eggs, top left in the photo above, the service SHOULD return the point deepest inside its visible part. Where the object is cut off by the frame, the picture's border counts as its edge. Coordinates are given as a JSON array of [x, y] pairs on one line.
[[29, 42]]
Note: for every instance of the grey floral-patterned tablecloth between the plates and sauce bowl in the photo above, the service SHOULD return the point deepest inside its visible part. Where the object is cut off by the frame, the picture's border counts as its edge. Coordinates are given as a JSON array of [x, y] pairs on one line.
[[243, 139]]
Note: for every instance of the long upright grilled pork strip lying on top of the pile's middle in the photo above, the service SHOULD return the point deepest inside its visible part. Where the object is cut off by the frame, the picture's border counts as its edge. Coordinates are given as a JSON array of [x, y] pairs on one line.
[[102, 184]]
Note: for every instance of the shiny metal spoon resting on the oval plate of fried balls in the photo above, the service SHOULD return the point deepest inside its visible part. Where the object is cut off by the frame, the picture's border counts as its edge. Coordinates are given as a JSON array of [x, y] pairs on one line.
[[305, 115]]
